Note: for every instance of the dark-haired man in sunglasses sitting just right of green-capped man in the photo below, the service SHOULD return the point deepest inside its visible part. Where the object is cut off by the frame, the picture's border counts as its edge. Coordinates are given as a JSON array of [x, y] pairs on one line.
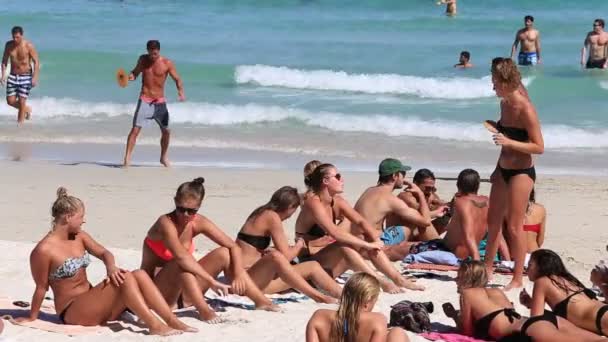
[[425, 180]]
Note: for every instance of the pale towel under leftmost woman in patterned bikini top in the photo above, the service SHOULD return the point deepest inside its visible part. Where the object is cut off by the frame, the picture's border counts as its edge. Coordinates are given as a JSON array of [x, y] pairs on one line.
[[47, 320]]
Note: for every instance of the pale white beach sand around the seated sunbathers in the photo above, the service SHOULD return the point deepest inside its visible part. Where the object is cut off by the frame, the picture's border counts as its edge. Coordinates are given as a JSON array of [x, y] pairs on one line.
[[121, 205]]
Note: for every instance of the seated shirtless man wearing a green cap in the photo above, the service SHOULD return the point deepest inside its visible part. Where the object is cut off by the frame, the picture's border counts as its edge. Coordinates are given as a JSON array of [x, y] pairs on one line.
[[378, 202]]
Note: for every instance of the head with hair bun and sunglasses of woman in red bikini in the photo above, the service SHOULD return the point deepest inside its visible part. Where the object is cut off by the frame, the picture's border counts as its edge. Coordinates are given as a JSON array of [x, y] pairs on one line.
[[188, 199]]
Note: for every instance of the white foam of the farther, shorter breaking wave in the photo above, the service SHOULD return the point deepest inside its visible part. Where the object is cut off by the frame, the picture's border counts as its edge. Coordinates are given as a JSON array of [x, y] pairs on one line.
[[426, 87]]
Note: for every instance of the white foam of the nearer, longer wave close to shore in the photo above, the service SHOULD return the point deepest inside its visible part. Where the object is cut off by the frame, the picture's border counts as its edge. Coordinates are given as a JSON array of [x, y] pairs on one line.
[[206, 114]]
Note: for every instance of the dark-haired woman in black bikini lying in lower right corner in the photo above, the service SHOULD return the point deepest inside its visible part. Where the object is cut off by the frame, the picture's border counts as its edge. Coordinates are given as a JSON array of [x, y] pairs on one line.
[[566, 295]]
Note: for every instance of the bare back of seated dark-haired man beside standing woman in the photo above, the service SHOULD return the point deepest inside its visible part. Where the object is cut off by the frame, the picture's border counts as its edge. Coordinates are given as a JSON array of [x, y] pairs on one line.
[[472, 211]]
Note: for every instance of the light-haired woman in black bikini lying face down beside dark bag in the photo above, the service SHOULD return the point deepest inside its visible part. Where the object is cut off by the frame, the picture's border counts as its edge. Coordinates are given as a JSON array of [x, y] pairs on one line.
[[487, 313]]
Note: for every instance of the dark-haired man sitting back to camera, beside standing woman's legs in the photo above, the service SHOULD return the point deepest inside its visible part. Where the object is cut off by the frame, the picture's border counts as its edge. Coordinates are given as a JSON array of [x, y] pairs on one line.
[[466, 228]]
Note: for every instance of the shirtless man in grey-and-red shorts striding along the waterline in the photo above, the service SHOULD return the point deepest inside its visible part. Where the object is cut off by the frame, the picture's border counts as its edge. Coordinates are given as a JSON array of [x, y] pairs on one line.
[[151, 105]]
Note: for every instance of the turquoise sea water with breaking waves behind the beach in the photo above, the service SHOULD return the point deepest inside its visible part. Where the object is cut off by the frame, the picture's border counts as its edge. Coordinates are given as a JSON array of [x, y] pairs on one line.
[[332, 79]]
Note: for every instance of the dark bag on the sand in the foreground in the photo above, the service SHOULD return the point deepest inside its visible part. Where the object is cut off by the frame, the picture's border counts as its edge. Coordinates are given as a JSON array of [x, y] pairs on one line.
[[411, 316]]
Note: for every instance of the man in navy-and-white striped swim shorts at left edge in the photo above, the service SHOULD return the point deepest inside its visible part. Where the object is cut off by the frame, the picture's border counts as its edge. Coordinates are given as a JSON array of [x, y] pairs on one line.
[[21, 78]]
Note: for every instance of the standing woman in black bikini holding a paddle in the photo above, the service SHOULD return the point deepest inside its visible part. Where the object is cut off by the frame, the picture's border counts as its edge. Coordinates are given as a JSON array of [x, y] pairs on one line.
[[520, 137]]
